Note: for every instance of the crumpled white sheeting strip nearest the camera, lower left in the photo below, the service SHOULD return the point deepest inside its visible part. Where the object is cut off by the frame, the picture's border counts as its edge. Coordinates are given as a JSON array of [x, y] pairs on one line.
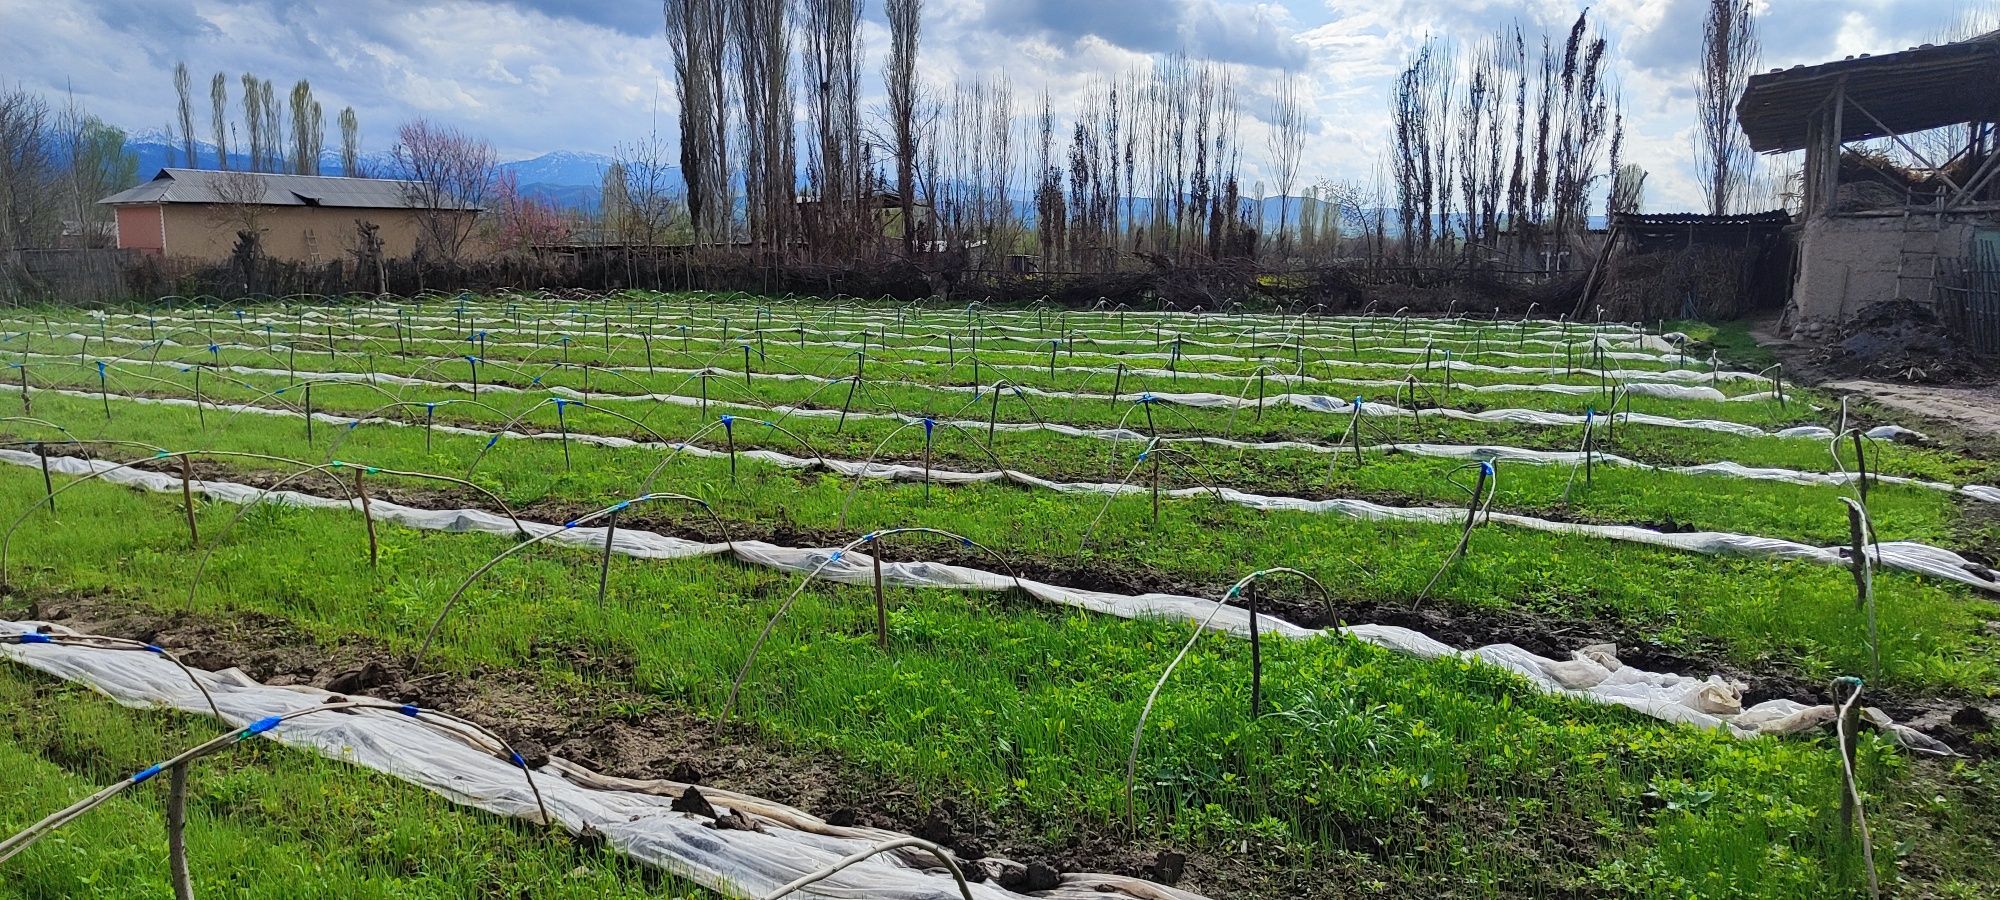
[[637, 823]]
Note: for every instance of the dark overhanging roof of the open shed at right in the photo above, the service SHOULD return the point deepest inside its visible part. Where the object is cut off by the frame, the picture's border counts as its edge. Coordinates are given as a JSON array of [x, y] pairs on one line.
[[1913, 91]]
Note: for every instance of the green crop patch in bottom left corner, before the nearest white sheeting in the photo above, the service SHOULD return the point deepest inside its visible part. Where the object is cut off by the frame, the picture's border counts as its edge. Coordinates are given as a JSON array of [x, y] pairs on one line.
[[263, 821]]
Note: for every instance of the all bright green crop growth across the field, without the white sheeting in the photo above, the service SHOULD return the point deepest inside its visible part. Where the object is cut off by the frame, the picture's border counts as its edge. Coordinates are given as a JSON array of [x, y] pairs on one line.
[[1369, 769]]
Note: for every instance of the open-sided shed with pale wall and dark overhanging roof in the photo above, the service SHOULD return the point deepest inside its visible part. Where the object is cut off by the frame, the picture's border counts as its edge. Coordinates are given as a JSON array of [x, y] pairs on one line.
[[1923, 225]]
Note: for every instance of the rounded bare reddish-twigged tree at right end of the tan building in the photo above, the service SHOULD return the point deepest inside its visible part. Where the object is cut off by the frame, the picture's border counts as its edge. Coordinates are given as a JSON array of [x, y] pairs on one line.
[[449, 181]]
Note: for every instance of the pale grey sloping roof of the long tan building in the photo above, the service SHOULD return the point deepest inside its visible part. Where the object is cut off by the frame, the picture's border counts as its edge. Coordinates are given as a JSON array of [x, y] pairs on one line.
[[267, 189]]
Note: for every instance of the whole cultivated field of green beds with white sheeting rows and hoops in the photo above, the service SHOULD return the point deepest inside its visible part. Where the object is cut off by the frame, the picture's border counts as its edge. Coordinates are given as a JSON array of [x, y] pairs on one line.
[[983, 575]]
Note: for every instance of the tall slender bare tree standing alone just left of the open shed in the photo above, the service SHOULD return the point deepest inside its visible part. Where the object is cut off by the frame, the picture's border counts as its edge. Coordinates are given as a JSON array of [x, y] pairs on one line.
[[1729, 57]]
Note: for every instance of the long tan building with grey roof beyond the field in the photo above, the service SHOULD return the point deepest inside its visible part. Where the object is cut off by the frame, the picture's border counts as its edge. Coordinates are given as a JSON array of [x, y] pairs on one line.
[[197, 215]]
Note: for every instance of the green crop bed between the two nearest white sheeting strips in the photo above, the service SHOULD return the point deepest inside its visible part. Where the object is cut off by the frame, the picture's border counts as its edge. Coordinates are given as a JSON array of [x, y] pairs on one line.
[[1029, 711]]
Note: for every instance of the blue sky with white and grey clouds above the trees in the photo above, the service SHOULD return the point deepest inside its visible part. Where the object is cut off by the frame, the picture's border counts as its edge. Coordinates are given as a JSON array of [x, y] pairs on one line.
[[589, 75]]
